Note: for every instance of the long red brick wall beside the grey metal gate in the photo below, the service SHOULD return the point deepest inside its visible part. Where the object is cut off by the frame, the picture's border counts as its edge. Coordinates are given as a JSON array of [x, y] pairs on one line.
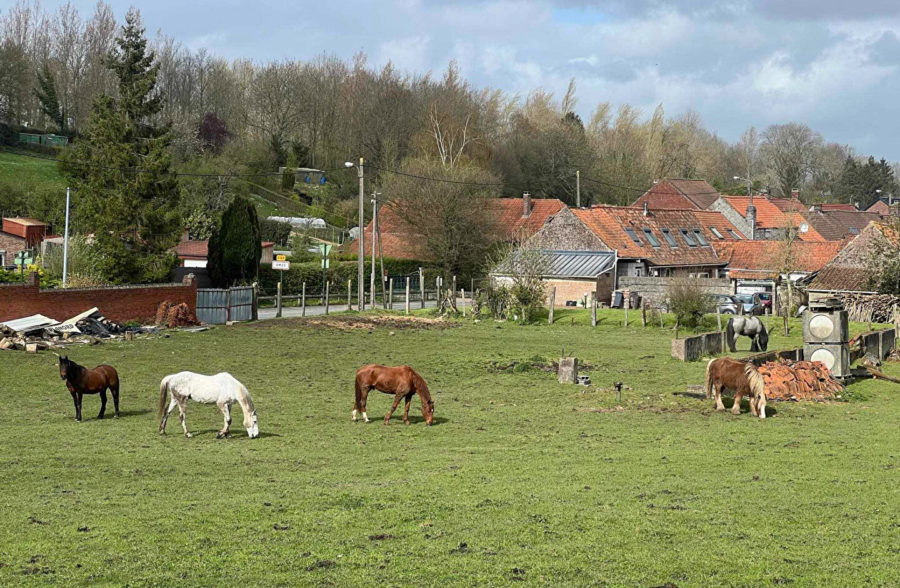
[[121, 304]]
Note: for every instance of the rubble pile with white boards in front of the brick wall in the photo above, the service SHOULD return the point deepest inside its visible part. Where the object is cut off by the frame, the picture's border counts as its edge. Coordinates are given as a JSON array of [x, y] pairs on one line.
[[38, 332]]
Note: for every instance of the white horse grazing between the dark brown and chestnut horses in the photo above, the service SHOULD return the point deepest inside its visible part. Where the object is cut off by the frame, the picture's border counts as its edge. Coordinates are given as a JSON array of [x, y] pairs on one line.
[[222, 389]]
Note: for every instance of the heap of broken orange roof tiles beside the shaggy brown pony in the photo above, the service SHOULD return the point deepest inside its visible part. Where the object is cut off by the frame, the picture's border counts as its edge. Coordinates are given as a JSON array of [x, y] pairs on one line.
[[799, 380]]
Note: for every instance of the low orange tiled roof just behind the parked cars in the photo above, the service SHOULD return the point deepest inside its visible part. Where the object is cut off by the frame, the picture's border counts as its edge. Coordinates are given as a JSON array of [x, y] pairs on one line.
[[754, 259]]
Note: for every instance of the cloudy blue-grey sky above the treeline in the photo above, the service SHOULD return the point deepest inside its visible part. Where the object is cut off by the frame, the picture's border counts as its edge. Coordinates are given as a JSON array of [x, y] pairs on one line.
[[832, 64]]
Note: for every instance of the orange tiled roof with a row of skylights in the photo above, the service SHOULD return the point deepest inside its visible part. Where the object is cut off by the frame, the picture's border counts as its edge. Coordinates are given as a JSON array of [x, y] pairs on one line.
[[609, 223]]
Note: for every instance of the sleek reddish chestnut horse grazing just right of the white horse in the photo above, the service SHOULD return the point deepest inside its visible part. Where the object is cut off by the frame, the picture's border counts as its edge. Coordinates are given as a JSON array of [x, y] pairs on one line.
[[401, 381]]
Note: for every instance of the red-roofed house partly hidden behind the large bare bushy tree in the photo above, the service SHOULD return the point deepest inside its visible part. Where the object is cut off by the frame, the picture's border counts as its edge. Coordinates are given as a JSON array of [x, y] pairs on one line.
[[514, 220]]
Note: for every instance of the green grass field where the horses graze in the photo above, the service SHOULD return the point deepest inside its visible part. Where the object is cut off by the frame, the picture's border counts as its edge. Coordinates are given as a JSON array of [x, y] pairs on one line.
[[521, 480]]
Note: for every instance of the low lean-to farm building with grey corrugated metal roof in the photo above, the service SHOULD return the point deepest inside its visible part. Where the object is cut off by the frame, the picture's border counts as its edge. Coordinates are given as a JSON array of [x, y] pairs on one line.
[[576, 275]]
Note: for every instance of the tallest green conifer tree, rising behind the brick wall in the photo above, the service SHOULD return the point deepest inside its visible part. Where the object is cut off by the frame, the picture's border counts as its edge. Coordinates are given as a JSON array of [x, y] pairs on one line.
[[125, 192]]
